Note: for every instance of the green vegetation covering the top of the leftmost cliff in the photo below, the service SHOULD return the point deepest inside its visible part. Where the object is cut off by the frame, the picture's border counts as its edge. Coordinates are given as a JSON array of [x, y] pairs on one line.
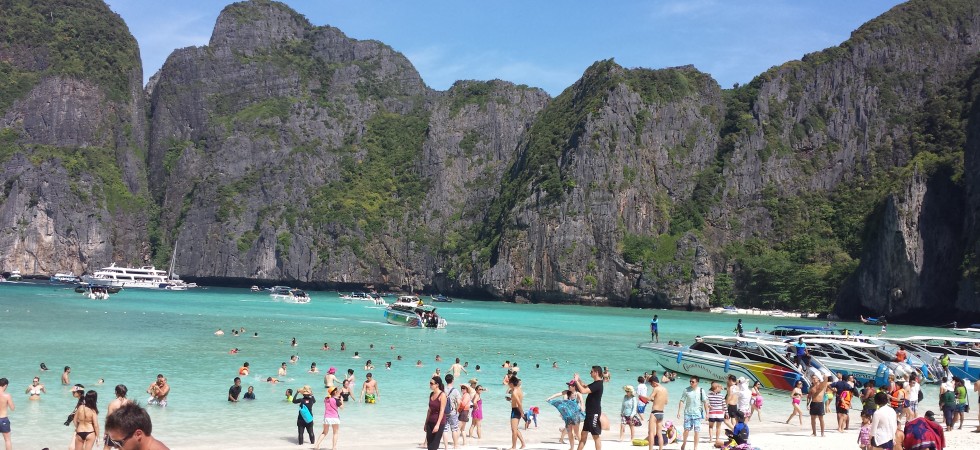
[[74, 38]]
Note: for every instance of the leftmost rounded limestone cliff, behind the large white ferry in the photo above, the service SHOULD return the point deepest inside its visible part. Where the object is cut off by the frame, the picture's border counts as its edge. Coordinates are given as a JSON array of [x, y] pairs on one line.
[[72, 129]]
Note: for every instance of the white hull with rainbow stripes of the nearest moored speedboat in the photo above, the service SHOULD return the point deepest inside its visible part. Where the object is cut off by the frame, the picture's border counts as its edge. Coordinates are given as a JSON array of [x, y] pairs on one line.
[[716, 367]]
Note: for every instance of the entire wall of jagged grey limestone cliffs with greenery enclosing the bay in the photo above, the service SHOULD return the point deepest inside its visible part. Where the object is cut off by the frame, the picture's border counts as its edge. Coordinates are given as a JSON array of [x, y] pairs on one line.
[[288, 151]]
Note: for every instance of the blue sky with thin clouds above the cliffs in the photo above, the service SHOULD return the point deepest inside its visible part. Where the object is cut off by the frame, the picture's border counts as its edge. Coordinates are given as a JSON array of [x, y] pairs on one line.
[[546, 44]]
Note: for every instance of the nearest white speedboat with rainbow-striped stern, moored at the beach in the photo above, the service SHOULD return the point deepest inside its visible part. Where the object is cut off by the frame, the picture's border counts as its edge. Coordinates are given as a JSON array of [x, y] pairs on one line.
[[716, 357]]
